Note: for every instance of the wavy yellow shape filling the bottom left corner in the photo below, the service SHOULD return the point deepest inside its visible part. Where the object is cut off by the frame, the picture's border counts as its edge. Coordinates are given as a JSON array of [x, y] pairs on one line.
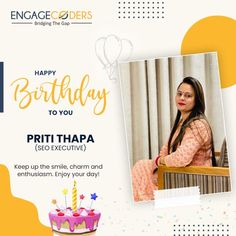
[[17, 216]]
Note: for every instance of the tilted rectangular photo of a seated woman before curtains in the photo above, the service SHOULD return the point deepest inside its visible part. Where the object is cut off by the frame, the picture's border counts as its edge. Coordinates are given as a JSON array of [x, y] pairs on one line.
[[174, 118]]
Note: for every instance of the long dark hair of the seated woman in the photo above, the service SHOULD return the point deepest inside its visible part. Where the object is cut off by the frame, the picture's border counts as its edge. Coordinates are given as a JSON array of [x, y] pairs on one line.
[[196, 114]]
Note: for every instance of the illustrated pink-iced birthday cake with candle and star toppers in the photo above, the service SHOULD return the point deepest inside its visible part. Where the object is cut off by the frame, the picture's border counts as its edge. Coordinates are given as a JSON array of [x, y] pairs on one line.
[[74, 220]]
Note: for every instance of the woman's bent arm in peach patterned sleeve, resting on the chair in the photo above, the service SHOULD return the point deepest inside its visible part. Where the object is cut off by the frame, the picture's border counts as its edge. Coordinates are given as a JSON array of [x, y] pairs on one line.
[[194, 138]]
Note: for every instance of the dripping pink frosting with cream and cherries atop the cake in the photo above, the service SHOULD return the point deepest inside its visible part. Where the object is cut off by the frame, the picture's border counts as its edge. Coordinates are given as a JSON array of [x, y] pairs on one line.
[[86, 215]]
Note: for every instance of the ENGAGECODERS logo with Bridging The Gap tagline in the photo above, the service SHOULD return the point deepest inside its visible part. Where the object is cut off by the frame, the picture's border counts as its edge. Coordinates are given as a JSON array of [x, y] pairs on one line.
[[51, 18]]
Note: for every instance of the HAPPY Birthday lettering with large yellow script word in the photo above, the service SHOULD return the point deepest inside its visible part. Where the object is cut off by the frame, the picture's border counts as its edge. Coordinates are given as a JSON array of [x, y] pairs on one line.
[[57, 90]]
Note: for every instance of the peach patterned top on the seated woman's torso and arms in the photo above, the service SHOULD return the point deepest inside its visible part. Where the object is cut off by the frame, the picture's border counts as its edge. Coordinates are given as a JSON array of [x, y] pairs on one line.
[[195, 148]]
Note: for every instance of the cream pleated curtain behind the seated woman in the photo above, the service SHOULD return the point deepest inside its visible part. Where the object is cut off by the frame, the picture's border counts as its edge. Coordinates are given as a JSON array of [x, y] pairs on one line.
[[148, 90]]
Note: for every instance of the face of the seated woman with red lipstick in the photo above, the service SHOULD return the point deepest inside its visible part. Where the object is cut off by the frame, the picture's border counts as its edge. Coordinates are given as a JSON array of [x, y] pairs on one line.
[[185, 98]]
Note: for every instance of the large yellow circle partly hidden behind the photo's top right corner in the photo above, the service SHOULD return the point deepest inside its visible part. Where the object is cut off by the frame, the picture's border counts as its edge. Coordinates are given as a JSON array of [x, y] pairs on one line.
[[215, 33]]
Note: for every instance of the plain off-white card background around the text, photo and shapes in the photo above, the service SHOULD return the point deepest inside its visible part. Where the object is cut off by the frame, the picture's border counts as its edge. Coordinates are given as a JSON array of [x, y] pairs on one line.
[[70, 50]]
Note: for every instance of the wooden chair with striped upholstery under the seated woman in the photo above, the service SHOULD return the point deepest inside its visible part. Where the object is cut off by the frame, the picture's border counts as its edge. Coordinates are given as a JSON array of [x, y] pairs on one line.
[[209, 179]]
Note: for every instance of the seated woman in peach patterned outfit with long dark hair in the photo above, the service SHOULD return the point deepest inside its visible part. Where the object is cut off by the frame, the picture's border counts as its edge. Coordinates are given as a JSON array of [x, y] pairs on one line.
[[190, 142]]
